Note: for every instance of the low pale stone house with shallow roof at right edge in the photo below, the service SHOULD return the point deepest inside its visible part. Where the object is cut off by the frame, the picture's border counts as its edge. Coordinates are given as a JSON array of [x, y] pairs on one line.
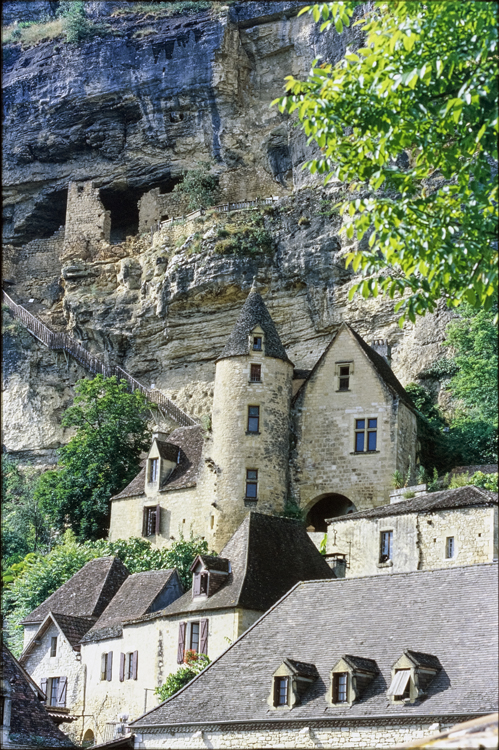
[[434, 530]]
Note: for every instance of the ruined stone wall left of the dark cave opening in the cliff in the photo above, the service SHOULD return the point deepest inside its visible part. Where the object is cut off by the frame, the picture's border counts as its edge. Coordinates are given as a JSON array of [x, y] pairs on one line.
[[87, 221]]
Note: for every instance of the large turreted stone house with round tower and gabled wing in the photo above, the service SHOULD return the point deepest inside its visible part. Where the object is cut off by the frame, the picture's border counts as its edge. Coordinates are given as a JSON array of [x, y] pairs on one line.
[[332, 447]]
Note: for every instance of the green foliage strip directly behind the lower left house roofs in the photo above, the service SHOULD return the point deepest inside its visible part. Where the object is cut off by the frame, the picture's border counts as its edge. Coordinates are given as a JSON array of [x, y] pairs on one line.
[[38, 576]]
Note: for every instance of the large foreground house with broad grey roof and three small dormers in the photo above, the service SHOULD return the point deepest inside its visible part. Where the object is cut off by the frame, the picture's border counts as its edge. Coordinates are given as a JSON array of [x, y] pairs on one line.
[[360, 662]]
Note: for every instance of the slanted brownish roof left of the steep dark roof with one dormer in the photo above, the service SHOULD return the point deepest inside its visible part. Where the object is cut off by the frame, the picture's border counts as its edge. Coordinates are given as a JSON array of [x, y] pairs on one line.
[[134, 598]]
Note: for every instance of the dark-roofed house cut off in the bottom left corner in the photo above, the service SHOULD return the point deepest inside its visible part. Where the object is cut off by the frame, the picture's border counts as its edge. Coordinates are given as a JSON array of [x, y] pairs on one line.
[[26, 723]]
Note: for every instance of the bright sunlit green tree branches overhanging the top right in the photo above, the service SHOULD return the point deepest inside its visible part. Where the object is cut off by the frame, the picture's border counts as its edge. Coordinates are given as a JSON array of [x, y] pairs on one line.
[[409, 123]]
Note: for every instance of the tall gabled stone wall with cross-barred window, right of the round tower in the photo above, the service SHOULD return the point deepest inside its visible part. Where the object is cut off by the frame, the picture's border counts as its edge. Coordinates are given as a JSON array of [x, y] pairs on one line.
[[325, 459]]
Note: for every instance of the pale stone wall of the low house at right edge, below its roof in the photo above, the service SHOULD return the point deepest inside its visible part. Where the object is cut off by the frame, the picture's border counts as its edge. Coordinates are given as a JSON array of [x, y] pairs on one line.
[[419, 540]]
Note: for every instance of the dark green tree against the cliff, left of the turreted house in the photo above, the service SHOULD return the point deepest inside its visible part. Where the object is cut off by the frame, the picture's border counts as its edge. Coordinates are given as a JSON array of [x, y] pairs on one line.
[[99, 460]]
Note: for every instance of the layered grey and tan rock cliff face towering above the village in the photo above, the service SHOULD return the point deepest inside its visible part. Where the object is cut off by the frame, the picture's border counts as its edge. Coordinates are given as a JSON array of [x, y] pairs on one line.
[[131, 111]]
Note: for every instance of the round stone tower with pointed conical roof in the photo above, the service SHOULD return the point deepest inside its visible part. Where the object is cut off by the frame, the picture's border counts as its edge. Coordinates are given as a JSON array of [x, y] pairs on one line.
[[250, 419]]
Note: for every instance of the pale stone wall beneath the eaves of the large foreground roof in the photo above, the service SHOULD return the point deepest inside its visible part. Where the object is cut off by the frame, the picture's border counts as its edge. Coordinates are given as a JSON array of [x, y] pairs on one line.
[[345, 735]]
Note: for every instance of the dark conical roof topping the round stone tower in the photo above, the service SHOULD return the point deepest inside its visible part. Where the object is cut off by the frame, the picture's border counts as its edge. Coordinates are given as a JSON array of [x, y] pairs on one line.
[[254, 313]]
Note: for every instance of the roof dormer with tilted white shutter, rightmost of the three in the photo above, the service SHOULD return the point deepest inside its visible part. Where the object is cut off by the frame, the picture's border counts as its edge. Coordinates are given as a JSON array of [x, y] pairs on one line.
[[411, 676]]
